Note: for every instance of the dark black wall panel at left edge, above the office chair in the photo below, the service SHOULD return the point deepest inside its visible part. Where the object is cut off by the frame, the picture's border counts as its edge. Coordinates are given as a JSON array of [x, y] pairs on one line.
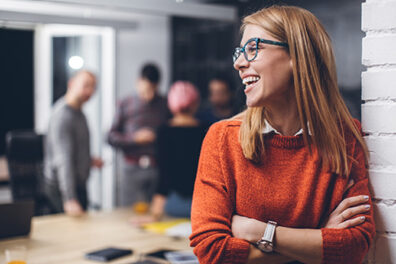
[[16, 82]]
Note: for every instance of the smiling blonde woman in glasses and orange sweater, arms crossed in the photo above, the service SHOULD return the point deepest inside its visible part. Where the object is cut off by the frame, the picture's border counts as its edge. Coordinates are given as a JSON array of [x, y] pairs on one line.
[[273, 183]]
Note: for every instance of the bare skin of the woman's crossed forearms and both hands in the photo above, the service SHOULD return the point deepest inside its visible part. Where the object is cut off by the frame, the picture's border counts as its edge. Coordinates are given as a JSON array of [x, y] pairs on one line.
[[292, 244]]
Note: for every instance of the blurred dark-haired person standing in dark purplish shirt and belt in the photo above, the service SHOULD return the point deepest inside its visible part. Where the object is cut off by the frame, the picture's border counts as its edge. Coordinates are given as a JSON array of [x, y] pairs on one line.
[[134, 133]]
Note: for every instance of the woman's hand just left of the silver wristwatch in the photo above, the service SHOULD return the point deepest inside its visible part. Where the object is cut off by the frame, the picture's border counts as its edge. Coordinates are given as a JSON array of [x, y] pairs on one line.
[[247, 228]]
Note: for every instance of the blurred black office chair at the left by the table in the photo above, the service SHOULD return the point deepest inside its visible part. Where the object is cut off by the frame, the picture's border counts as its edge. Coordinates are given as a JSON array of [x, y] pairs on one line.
[[25, 155]]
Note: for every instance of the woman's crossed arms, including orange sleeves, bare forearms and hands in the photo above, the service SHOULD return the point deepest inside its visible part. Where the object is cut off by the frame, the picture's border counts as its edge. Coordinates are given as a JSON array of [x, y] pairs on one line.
[[343, 238]]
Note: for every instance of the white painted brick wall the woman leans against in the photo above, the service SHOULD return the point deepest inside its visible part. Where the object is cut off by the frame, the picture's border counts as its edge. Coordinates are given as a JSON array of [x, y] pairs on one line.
[[379, 120]]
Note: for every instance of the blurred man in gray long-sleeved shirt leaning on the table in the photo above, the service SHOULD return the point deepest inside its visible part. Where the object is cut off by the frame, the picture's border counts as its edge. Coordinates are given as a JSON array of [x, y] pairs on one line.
[[67, 151]]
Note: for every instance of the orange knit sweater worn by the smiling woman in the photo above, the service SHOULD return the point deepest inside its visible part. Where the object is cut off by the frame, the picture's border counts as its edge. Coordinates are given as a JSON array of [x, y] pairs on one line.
[[290, 188]]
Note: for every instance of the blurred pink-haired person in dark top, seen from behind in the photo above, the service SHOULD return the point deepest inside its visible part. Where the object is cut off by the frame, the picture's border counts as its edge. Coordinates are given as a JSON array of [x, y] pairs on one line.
[[178, 147]]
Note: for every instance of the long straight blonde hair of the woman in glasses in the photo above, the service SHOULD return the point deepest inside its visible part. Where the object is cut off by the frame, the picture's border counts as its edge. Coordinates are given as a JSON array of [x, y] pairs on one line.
[[318, 99]]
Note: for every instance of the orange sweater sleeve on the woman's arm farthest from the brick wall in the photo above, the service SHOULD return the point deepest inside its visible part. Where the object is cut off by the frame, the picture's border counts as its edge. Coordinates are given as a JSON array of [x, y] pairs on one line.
[[212, 208]]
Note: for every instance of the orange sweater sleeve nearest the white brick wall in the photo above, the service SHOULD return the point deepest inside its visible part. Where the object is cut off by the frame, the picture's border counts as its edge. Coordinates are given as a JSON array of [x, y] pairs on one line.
[[352, 244]]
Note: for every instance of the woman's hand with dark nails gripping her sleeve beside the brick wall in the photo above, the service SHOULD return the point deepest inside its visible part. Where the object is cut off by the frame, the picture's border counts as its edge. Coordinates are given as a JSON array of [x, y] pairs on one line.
[[343, 216]]
